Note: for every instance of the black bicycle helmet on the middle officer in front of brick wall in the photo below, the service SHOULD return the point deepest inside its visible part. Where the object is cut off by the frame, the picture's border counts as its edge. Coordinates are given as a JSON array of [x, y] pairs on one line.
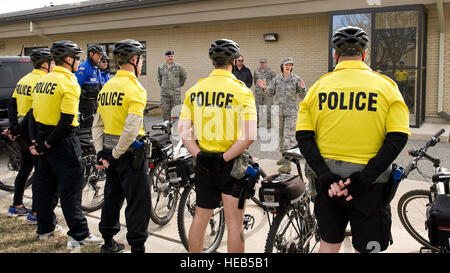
[[223, 51]]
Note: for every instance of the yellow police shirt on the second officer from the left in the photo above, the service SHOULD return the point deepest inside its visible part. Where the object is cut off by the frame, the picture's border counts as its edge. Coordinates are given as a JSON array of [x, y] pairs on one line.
[[55, 93]]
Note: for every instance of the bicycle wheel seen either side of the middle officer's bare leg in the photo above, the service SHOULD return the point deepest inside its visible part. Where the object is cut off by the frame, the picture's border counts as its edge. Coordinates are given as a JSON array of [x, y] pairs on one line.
[[186, 211]]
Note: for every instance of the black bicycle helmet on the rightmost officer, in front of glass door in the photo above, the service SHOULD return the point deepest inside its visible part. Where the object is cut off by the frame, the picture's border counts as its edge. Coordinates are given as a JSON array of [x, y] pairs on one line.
[[350, 39]]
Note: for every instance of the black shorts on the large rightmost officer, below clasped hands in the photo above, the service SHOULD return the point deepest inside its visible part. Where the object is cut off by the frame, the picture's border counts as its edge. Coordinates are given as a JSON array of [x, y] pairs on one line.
[[370, 219]]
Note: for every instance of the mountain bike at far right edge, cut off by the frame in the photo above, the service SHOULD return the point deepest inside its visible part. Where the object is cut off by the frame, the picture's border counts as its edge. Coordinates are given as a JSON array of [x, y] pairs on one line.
[[412, 206]]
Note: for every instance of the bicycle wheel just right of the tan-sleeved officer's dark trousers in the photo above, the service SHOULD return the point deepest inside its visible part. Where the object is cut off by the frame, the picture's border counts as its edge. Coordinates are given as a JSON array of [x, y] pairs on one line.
[[164, 197]]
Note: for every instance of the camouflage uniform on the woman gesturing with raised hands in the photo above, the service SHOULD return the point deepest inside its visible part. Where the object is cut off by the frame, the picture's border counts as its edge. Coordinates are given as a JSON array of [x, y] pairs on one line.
[[285, 95]]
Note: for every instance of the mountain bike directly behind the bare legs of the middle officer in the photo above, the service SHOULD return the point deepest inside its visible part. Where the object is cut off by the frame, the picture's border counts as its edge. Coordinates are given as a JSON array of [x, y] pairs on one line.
[[216, 226]]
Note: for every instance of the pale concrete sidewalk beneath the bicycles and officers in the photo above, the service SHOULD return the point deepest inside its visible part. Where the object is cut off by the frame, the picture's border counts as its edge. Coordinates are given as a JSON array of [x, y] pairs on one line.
[[166, 239]]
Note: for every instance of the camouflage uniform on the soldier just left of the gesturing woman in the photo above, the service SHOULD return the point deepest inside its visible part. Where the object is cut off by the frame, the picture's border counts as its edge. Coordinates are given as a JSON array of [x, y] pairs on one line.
[[262, 97]]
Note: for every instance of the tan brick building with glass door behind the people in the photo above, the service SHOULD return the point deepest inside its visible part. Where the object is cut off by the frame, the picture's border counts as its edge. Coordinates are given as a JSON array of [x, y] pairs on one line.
[[411, 31]]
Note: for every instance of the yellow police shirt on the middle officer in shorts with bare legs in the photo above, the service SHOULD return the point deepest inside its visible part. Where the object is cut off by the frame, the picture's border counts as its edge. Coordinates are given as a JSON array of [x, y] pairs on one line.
[[217, 105]]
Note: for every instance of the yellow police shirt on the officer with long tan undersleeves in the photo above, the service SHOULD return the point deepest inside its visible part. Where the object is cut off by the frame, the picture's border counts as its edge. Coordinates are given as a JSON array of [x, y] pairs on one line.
[[120, 96]]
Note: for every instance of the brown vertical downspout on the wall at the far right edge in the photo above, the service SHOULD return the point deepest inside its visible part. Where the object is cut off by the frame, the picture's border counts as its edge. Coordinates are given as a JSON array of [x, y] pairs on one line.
[[440, 10]]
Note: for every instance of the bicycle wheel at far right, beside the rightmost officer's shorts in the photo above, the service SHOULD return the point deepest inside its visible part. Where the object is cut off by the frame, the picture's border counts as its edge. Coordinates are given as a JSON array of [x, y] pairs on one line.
[[412, 211]]
